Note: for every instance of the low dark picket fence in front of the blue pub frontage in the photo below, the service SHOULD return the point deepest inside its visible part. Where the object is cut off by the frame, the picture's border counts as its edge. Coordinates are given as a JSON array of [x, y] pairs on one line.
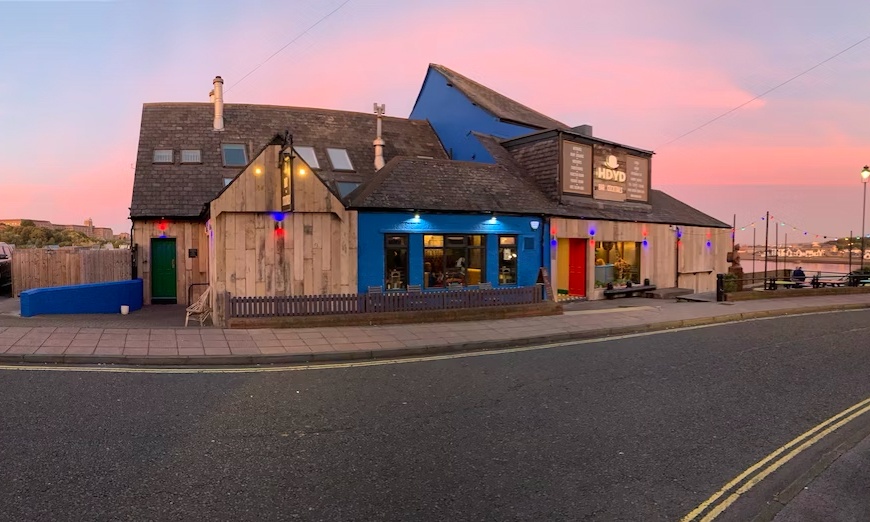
[[307, 305]]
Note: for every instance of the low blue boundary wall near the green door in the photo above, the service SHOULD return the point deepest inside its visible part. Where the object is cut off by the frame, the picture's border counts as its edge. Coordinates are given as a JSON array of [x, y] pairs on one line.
[[94, 298]]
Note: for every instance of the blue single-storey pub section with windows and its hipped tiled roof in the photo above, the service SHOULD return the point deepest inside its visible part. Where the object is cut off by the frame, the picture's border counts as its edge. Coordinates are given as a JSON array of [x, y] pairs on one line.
[[443, 224]]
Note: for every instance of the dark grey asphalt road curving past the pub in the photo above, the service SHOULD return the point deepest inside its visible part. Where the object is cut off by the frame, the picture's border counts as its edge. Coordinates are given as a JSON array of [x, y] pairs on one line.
[[642, 428]]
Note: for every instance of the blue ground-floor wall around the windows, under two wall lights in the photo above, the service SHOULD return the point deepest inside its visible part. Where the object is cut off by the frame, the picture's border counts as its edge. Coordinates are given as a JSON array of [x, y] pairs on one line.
[[373, 226]]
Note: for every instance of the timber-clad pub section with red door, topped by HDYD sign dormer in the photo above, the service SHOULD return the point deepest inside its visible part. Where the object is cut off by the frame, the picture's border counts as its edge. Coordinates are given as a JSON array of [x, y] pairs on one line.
[[610, 227]]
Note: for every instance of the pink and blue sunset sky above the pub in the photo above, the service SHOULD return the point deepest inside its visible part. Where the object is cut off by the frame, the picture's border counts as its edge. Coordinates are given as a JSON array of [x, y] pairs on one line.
[[76, 73]]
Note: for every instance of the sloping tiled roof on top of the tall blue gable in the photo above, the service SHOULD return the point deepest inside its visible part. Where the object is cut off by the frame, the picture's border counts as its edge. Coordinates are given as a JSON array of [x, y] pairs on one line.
[[498, 104]]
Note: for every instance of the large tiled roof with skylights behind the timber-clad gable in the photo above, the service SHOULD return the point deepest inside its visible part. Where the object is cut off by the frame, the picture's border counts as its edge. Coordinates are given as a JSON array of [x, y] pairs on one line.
[[182, 190]]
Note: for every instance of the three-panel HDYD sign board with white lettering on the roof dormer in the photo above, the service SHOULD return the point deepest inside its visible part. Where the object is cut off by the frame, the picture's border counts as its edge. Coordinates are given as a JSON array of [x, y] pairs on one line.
[[605, 172]]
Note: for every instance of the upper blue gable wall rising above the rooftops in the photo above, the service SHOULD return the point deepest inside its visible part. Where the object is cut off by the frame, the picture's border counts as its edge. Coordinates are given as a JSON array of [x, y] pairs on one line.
[[454, 117]]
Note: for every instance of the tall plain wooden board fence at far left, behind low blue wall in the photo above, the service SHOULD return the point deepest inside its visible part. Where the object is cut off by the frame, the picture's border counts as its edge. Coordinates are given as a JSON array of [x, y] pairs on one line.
[[41, 268]]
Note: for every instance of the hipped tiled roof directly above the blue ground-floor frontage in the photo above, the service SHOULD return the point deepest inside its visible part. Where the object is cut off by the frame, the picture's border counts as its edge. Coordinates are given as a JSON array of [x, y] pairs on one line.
[[447, 185]]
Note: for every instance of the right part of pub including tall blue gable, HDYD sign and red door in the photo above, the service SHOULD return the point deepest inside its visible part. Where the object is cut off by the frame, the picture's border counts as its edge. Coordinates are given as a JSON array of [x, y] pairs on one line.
[[604, 223]]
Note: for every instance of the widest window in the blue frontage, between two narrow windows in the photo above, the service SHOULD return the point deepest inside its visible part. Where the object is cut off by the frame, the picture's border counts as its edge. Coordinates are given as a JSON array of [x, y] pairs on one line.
[[453, 259]]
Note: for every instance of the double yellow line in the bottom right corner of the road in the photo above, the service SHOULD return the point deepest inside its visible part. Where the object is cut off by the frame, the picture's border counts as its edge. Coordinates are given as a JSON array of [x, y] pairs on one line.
[[719, 502]]
